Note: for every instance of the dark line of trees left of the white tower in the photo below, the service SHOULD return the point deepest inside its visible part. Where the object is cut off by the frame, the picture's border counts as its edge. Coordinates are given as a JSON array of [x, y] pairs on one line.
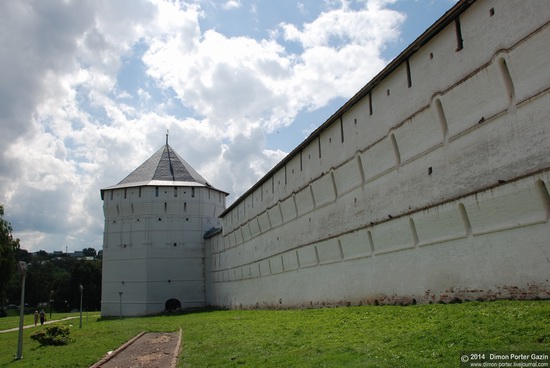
[[50, 279]]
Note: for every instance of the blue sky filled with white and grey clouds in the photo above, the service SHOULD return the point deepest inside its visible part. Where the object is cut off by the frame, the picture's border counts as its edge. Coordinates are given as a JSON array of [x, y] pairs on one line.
[[88, 89]]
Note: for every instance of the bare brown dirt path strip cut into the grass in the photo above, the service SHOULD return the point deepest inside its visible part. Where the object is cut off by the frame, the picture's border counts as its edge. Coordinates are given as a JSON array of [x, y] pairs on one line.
[[146, 350]]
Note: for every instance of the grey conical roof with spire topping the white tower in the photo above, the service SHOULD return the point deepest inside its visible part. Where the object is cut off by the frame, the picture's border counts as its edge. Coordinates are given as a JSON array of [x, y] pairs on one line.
[[164, 168]]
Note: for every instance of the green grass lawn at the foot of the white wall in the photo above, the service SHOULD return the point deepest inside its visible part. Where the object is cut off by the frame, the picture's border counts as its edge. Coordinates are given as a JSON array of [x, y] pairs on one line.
[[372, 336]]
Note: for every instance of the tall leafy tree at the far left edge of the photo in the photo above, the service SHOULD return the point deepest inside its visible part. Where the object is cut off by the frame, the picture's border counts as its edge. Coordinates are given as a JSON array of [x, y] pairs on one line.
[[8, 247]]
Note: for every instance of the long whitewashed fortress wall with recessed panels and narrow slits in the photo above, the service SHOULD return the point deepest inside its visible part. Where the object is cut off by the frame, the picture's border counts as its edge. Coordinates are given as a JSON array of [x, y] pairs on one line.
[[431, 184]]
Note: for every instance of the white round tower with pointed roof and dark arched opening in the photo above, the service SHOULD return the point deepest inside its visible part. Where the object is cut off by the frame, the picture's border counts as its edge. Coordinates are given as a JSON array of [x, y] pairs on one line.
[[155, 221]]
